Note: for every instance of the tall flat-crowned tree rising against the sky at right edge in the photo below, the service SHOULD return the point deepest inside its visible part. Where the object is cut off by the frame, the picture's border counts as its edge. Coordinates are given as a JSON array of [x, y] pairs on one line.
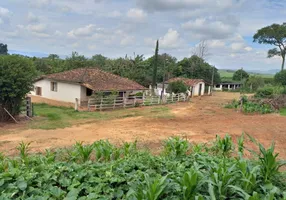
[[273, 35]]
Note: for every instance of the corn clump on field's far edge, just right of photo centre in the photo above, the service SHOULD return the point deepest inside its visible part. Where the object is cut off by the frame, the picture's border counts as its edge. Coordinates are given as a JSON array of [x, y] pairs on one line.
[[176, 147]]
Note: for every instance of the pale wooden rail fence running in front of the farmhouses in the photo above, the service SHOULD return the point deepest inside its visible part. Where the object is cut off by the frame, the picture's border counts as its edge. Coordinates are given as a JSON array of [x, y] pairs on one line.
[[105, 103]]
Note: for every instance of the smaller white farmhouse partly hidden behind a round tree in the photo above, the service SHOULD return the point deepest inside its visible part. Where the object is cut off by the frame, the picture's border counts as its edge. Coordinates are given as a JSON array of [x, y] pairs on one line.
[[196, 86]]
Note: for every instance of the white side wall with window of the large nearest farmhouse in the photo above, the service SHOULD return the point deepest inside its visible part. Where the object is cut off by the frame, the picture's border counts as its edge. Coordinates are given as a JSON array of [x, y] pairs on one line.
[[66, 92]]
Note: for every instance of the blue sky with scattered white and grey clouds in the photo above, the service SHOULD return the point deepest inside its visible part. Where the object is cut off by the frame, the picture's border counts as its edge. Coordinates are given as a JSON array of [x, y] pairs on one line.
[[118, 27]]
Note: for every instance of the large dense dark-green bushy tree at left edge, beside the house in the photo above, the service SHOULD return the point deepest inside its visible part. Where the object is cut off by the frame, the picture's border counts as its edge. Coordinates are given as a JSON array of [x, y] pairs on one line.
[[16, 79]]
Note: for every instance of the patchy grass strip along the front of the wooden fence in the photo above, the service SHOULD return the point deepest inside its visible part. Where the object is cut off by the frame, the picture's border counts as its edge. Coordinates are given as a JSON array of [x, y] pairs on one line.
[[52, 117]]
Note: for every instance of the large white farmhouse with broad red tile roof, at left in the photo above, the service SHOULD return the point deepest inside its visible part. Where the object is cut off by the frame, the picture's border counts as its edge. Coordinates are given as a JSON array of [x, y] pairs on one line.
[[81, 83]]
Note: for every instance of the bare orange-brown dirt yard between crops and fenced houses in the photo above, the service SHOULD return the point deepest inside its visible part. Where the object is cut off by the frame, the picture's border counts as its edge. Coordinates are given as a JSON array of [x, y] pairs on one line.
[[199, 121]]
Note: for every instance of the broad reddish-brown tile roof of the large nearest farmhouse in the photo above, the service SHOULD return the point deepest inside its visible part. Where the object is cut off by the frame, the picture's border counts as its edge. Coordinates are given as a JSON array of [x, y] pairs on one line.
[[96, 79]]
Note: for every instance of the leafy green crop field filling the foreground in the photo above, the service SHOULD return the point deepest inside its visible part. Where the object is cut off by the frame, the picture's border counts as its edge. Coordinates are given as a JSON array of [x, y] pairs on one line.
[[100, 170]]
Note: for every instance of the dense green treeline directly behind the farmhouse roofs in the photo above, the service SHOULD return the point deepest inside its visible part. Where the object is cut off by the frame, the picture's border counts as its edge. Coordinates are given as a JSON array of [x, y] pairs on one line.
[[136, 68]]
